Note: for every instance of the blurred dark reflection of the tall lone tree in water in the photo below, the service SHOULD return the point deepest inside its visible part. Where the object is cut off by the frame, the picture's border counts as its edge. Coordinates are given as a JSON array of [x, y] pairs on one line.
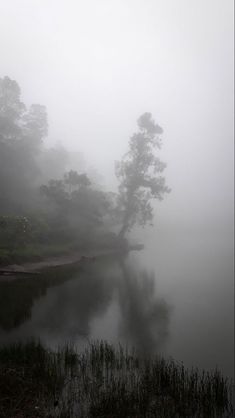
[[145, 318]]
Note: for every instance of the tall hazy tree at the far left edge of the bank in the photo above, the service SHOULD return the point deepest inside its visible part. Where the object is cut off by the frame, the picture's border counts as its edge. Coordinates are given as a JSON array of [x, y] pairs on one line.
[[21, 135]]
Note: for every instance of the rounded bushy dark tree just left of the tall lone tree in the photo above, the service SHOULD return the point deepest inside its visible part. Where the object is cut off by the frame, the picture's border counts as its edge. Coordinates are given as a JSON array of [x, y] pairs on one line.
[[77, 210]]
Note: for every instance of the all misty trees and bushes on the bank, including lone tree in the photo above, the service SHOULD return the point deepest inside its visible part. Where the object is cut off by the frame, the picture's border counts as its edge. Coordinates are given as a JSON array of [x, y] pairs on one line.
[[48, 208]]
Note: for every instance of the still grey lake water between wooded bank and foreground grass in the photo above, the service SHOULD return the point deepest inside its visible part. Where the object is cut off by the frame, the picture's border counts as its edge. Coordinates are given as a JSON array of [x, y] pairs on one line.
[[175, 298]]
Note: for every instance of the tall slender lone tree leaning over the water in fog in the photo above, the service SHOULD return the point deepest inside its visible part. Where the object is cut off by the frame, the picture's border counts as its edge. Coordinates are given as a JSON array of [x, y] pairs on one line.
[[138, 175]]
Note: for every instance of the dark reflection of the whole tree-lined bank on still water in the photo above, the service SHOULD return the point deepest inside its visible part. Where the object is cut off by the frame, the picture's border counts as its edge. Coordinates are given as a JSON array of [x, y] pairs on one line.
[[107, 298]]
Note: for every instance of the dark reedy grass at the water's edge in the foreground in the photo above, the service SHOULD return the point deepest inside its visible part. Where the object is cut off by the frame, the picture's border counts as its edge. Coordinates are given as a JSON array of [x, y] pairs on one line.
[[104, 381]]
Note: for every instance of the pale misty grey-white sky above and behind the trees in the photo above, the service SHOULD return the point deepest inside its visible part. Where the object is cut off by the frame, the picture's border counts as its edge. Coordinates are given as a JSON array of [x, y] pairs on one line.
[[98, 64]]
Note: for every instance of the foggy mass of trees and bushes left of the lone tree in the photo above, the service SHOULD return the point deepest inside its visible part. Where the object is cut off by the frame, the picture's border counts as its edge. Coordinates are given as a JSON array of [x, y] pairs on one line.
[[43, 203]]
